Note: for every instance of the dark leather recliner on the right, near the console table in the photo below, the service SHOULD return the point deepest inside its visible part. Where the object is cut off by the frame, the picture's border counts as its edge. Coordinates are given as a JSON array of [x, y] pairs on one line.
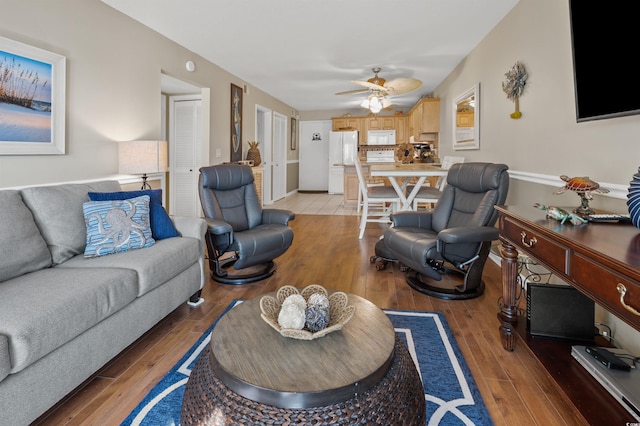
[[457, 232]]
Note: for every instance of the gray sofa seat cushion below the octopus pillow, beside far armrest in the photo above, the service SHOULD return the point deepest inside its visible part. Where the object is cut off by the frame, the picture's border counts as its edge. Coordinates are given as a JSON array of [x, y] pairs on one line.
[[154, 265]]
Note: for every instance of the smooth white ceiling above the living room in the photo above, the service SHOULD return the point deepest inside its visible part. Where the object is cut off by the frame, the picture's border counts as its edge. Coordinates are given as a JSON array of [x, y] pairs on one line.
[[304, 51]]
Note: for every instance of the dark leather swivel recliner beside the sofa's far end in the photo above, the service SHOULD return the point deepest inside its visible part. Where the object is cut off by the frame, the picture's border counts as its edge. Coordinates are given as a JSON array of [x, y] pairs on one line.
[[237, 224]]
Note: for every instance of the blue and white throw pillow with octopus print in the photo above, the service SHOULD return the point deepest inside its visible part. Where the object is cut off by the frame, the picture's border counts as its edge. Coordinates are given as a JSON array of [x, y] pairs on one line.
[[117, 226]]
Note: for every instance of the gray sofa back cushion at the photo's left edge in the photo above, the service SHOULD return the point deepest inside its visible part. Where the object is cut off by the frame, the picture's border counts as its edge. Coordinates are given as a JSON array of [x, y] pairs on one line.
[[23, 248]]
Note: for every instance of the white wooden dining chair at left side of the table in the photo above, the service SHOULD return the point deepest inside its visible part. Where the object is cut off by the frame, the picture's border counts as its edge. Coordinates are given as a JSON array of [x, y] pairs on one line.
[[378, 202]]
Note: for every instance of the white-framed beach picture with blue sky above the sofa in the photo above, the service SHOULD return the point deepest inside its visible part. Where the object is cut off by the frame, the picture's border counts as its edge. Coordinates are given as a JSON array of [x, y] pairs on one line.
[[32, 100]]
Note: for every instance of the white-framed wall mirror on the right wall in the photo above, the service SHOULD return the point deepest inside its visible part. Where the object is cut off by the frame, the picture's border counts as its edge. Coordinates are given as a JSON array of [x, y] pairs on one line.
[[466, 119]]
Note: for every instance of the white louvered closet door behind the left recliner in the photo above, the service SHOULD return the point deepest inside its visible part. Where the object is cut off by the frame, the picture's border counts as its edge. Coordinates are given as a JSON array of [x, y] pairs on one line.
[[185, 157]]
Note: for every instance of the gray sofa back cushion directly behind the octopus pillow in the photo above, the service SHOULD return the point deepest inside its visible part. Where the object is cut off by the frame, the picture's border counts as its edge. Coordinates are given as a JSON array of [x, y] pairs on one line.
[[57, 211]]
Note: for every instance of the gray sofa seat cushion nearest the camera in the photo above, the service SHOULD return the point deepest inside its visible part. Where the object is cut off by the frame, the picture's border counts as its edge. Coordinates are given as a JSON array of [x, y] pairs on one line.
[[45, 309]]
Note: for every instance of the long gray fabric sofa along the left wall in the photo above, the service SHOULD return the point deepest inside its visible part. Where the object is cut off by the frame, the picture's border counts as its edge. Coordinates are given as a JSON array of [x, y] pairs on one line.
[[63, 316]]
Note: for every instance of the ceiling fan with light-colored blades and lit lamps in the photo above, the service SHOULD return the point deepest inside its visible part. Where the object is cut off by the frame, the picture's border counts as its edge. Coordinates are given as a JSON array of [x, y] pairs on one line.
[[379, 89]]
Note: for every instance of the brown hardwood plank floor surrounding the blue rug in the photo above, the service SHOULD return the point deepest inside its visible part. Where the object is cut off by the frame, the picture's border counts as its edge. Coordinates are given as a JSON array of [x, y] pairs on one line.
[[326, 250]]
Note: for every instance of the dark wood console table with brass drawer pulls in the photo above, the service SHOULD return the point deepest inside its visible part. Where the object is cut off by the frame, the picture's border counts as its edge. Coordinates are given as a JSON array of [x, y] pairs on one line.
[[602, 260]]
